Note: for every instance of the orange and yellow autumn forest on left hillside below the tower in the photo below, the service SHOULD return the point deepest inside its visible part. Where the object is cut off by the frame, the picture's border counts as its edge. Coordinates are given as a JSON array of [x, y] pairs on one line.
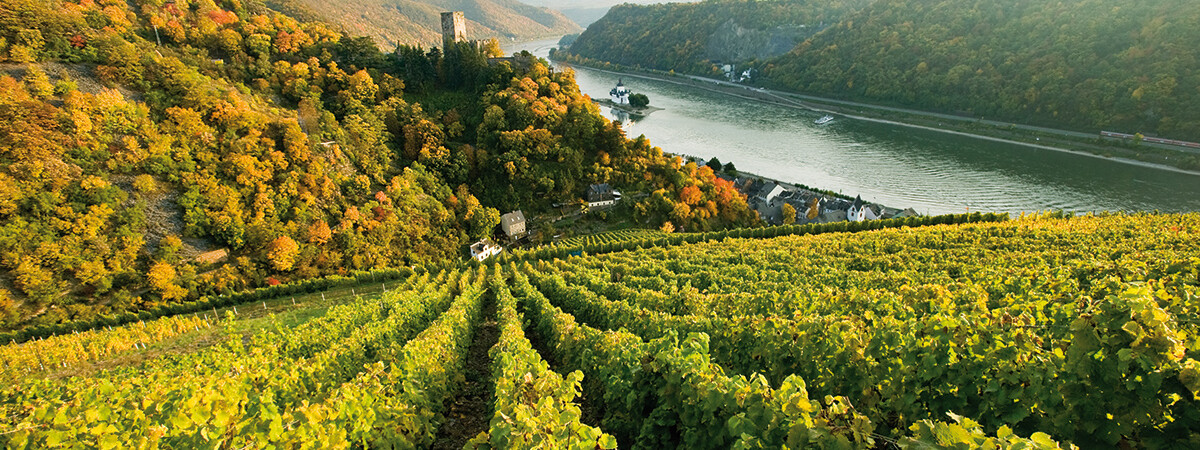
[[293, 148]]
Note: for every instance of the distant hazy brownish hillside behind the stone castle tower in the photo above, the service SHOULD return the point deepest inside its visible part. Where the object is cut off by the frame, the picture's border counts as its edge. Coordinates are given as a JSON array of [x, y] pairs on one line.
[[418, 22]]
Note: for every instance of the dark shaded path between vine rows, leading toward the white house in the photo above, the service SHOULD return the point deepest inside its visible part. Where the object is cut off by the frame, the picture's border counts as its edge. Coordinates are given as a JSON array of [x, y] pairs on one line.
[[471, 411]]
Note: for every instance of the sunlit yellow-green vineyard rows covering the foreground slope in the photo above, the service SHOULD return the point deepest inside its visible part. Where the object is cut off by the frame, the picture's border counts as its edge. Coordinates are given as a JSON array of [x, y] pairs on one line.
[[1037, 333]]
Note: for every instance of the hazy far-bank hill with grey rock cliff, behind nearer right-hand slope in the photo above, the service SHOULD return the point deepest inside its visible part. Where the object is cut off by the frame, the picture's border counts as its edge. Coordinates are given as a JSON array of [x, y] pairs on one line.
[[689, 38]]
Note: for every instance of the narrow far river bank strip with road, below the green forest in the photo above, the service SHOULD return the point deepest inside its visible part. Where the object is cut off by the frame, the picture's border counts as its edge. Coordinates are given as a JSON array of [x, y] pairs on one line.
[[1179, 161]]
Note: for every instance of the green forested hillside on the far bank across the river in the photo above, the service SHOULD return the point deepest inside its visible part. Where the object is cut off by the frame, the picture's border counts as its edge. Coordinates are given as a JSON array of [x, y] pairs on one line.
[[1088, 65]]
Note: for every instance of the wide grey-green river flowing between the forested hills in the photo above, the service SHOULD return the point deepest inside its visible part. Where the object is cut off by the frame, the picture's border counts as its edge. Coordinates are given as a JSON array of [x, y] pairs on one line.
[[890, 165]]
